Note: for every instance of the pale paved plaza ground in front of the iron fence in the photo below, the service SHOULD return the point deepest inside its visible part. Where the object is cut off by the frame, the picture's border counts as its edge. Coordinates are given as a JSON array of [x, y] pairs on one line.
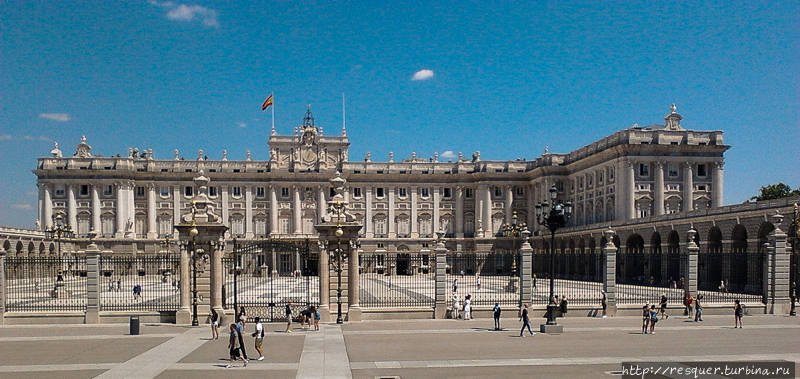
[[589, 348]]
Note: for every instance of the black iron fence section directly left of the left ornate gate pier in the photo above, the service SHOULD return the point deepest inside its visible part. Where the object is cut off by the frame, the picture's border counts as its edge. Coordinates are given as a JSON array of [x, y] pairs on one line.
[[141, 283]]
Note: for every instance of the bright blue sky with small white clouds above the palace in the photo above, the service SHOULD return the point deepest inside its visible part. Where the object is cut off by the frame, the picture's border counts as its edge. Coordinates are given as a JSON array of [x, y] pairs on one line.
[[508, 79]]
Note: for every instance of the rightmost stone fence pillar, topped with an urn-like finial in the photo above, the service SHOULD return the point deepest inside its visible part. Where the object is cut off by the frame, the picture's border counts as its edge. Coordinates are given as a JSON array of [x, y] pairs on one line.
[[778, 301]]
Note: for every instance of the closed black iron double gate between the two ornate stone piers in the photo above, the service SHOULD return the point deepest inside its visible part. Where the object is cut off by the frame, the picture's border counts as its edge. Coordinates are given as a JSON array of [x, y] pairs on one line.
[[264, 276]]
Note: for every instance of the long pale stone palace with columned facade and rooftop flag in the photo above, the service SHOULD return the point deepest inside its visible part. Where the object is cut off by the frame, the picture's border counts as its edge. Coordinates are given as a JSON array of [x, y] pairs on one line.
[[136, 199]]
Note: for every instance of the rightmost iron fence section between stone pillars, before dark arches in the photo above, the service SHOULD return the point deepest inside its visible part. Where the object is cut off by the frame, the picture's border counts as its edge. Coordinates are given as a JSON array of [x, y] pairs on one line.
[[726, 276]]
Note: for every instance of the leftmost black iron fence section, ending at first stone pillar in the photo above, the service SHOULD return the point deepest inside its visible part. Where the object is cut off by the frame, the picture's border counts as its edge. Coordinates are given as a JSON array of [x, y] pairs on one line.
[[45, 284]]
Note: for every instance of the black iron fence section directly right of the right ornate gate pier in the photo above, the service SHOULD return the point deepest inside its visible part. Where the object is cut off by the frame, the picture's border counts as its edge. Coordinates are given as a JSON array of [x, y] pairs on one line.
[[396, 280]]
